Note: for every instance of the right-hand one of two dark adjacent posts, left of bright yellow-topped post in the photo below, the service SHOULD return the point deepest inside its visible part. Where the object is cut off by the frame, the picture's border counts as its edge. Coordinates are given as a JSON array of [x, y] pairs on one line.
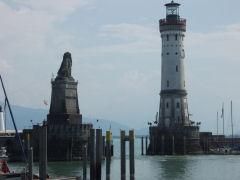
[[99, 153]]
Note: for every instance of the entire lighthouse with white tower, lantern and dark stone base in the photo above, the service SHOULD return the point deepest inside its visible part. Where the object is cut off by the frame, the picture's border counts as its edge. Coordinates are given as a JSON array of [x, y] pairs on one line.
[[174, 132]]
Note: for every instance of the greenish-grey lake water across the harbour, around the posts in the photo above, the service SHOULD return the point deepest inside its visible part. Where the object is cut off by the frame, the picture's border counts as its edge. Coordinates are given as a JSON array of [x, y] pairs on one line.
[[200, 167]]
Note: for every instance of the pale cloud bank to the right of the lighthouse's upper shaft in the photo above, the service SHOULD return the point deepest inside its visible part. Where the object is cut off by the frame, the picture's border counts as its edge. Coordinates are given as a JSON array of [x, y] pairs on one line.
[[222, 44]]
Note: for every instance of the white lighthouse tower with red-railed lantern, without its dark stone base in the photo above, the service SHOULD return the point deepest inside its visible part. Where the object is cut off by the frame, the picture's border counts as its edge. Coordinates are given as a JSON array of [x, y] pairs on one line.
[[173, 110]]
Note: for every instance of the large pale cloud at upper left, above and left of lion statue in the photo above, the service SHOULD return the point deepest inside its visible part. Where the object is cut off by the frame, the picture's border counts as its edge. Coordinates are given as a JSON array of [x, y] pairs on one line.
[[30, 39]]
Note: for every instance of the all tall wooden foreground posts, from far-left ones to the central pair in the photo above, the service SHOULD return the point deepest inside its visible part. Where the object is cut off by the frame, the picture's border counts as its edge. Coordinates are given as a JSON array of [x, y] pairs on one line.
[[98, 151]]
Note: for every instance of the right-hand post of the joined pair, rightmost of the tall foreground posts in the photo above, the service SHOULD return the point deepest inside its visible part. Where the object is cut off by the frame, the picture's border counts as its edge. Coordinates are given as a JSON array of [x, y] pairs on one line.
[[131, 155]]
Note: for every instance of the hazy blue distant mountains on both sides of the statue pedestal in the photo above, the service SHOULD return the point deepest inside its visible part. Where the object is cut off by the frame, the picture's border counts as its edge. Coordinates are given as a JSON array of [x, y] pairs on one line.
[[26, 117]]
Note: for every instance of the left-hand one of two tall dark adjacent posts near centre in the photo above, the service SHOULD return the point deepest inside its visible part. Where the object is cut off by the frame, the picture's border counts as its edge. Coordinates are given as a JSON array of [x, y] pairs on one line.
[[92, 155]]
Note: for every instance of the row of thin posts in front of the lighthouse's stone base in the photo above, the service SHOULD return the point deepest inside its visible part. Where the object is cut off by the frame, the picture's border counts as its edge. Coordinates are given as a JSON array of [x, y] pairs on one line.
[[153, 145]]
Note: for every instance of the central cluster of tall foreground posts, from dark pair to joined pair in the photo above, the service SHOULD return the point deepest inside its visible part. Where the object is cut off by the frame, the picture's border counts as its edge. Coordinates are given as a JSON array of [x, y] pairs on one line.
[[96, 154]]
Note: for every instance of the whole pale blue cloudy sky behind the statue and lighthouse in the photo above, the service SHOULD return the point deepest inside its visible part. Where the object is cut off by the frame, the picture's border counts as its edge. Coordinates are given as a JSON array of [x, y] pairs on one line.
[[116, 52]]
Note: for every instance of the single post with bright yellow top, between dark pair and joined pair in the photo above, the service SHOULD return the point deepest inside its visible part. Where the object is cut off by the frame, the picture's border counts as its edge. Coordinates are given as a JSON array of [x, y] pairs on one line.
[[108, 154]]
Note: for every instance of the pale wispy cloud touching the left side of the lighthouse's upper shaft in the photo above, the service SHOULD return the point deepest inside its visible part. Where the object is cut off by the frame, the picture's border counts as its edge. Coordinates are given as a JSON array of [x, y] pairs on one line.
[[125, 38]]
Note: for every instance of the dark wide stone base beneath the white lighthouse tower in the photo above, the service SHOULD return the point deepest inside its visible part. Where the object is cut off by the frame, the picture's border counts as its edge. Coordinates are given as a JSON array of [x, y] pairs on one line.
[[175, 140]]
